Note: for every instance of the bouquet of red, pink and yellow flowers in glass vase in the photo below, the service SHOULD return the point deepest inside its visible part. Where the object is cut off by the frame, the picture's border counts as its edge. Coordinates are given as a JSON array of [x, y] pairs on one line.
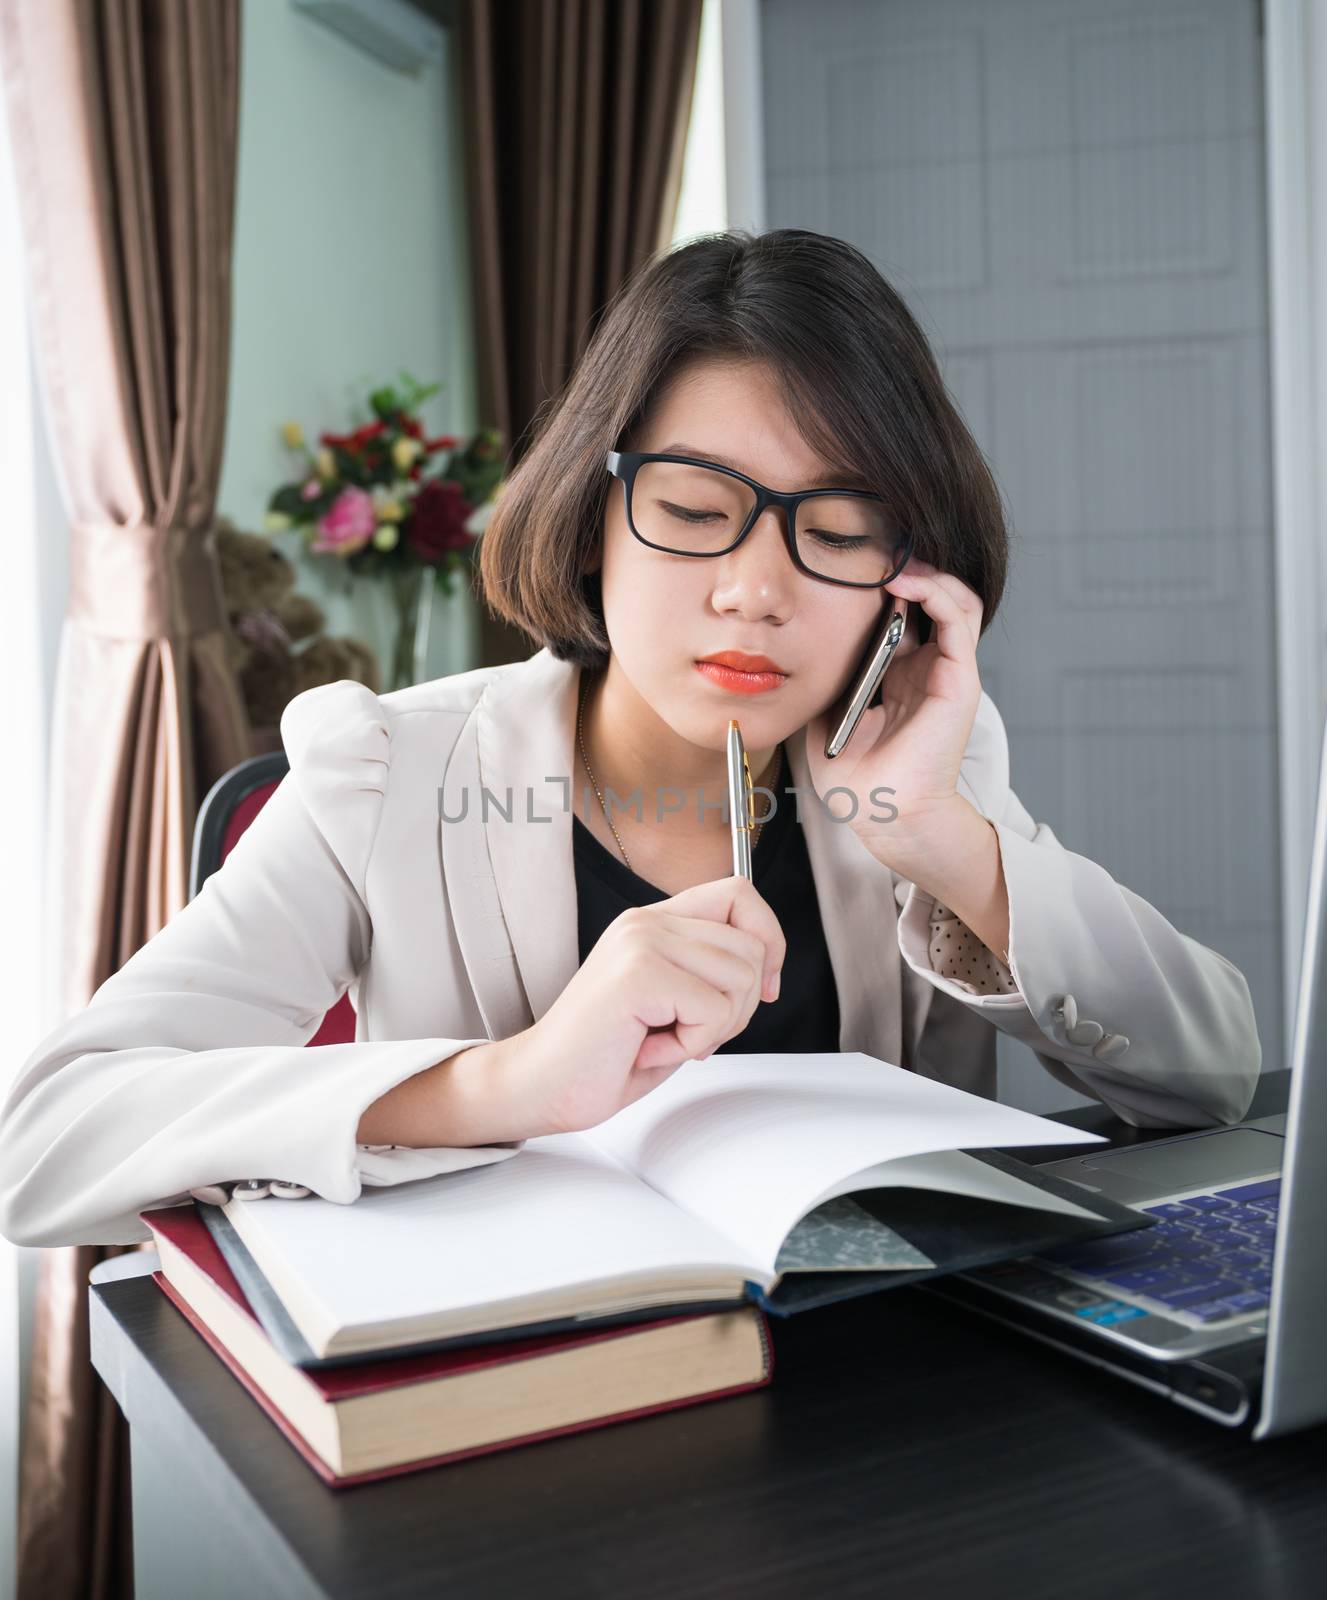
[[387, 502]]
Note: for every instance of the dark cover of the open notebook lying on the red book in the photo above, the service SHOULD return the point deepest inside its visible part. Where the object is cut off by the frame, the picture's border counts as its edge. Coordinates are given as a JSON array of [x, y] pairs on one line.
[[956, 1231]]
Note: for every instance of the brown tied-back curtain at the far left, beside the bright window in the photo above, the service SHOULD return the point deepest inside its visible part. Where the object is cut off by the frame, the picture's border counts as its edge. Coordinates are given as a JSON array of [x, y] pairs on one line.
[[122, 121]]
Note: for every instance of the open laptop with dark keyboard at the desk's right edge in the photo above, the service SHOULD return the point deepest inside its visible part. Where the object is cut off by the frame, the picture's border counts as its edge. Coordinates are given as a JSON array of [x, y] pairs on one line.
[[1221, 1303]]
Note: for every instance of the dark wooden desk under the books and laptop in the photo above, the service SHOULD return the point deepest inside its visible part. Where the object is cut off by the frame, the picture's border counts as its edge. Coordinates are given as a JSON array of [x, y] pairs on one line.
[[907, 1447]]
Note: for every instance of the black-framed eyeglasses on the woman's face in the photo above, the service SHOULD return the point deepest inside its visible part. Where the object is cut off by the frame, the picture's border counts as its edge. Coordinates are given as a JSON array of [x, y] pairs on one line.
[[697, 508]]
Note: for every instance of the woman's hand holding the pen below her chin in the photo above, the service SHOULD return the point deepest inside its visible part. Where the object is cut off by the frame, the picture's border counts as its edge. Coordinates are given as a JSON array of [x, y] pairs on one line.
[[665, 983]]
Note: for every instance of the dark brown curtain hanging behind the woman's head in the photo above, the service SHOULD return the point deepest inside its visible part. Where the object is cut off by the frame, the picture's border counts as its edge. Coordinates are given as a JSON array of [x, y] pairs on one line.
[[575, 124]]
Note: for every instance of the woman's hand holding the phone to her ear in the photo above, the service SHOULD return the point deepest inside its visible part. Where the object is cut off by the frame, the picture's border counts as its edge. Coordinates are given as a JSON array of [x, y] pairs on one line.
[[913, 743]]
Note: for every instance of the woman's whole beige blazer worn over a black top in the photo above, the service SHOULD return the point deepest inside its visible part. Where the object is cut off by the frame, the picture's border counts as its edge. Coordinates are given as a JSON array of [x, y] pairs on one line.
[[380, 868]]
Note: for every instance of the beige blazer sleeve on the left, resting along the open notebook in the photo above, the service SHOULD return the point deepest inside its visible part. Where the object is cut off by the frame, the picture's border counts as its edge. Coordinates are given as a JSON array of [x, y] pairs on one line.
[[190, 1065]]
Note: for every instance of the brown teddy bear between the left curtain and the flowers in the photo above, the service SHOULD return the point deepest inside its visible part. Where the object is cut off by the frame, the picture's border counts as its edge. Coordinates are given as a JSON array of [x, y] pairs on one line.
[[278, 646]]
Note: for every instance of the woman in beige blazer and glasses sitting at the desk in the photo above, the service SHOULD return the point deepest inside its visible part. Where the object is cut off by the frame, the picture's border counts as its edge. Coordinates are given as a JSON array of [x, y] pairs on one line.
[[524, 964]]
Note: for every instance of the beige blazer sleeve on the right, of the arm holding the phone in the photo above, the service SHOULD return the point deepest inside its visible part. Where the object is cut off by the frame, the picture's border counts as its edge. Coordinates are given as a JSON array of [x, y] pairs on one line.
[[1112, 999]]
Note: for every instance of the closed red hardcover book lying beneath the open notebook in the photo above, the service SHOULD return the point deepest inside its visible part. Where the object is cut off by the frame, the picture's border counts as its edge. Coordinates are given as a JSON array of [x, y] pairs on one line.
[[380, 1418]]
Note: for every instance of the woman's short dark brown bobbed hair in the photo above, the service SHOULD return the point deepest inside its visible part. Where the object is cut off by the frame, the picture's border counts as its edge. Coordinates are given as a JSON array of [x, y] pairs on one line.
[[867, 396]]
